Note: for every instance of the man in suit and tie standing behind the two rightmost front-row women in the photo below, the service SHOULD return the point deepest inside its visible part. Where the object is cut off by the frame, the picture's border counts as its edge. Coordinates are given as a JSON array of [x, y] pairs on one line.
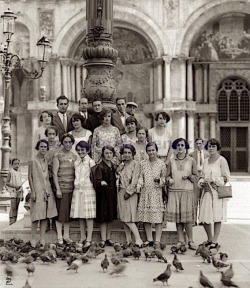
[[199, 155]]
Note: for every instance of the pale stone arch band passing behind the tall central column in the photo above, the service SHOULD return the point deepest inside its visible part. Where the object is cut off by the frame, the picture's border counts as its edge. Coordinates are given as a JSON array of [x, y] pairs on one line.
[[123, 17]]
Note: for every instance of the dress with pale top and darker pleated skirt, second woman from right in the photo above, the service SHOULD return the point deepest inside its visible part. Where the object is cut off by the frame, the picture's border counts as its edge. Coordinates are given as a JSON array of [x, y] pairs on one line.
[[180, 207]]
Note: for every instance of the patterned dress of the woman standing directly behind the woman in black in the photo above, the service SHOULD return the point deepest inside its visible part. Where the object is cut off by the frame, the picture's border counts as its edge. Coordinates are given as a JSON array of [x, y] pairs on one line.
[[104, 136]]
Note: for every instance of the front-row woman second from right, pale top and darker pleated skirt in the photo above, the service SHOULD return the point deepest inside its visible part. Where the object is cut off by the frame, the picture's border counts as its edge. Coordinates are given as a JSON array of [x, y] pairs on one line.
[[181, 175]]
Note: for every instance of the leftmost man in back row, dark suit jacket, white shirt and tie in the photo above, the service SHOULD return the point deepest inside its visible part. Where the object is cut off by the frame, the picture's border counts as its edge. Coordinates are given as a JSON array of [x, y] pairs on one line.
[[61, 118]]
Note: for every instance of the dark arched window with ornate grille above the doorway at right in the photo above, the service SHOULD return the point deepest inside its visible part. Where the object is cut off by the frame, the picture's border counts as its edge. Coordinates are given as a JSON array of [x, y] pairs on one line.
[[233, 100]]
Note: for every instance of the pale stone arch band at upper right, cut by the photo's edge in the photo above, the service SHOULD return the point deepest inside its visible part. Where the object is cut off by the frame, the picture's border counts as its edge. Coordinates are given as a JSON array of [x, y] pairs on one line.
[[202, 16]]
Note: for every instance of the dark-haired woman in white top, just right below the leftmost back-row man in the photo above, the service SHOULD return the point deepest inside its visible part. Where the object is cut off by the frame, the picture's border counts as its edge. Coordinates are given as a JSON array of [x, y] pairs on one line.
[[79, 133]]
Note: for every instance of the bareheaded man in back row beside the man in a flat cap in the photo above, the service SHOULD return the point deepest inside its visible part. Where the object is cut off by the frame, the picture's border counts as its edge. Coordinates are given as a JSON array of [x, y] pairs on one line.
[[120, 115]]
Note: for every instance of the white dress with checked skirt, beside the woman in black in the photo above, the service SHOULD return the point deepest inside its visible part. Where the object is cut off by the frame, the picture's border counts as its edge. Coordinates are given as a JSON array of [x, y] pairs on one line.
[[84, 199]]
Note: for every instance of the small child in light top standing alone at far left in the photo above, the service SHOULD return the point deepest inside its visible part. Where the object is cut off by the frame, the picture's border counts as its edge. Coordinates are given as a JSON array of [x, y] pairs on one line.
[[14, 185]]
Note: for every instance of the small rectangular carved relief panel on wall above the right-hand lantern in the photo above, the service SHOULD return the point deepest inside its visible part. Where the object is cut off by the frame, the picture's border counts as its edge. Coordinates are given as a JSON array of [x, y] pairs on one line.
[[46, 23]]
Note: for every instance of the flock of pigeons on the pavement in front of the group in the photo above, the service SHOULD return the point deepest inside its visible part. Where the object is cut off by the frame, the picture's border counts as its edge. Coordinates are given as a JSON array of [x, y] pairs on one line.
[[75, 255]]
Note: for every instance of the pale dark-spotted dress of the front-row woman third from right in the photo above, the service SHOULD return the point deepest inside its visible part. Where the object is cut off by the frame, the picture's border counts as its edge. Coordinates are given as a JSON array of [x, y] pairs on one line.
[[151, 207]]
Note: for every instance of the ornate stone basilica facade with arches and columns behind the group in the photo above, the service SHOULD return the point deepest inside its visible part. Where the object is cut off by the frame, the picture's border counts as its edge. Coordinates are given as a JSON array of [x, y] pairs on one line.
[[188, 58]]
